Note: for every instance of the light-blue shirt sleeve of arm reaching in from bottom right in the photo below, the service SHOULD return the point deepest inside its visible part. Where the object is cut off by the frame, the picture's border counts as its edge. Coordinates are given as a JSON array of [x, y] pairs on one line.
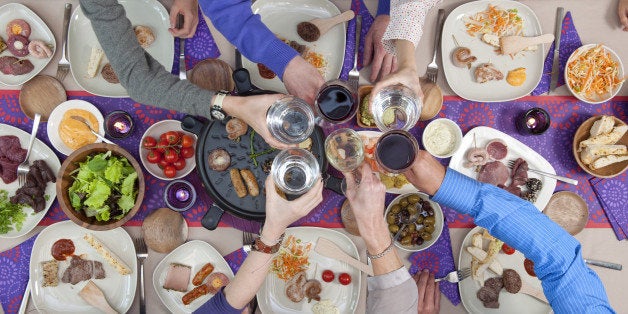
[[569, 285]]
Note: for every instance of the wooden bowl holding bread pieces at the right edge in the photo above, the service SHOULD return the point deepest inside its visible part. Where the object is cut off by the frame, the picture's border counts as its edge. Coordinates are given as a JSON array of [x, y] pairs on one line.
[[582, 134]]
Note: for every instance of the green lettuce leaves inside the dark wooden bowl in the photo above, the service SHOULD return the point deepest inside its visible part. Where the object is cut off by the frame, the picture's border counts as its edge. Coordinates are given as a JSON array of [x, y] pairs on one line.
[[104, 187]]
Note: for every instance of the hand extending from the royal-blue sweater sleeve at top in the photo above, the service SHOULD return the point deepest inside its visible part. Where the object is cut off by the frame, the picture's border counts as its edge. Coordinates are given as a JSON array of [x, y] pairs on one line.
[[302, 79]]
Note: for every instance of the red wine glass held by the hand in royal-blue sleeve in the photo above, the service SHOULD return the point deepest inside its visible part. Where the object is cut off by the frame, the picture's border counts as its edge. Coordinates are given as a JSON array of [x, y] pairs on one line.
[[336, 103]]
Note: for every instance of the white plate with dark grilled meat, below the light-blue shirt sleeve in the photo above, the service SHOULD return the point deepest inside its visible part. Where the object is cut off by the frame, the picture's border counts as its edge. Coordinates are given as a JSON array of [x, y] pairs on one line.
[[508, 302]]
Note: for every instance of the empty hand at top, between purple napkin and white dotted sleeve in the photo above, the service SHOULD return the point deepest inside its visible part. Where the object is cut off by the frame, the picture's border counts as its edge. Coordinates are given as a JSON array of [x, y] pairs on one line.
[[382, 63]]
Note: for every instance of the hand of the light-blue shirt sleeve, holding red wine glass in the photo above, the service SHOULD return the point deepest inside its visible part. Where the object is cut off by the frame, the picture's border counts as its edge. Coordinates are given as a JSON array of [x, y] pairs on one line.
[[426, 173]]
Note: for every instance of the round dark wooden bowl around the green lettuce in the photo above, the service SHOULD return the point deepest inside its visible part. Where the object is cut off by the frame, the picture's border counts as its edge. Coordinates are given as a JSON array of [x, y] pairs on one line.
[[65, 180]]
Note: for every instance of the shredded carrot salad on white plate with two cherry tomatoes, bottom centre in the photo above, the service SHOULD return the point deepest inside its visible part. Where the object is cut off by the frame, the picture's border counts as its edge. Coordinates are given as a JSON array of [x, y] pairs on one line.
[[292, 258]]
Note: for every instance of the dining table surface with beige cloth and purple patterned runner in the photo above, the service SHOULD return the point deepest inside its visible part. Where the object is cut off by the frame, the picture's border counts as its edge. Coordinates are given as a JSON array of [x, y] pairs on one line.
[[595, 23]]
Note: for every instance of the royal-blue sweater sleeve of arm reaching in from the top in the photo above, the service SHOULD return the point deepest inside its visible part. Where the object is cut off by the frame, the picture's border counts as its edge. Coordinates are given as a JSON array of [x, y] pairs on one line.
[[245, 30]]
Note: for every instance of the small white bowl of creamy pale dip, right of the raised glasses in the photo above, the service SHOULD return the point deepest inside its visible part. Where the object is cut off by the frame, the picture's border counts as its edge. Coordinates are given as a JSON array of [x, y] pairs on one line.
[[430, 137]]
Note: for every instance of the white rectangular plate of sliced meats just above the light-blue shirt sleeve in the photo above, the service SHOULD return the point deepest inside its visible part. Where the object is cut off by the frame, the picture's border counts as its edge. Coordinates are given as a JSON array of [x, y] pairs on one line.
[[516, 150]]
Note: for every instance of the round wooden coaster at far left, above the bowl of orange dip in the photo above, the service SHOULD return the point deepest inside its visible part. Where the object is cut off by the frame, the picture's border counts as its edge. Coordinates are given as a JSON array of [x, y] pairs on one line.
[[41, 95]]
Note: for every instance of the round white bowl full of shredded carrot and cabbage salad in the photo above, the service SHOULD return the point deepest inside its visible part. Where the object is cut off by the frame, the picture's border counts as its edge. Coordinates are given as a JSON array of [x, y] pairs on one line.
[[594, 73]]
